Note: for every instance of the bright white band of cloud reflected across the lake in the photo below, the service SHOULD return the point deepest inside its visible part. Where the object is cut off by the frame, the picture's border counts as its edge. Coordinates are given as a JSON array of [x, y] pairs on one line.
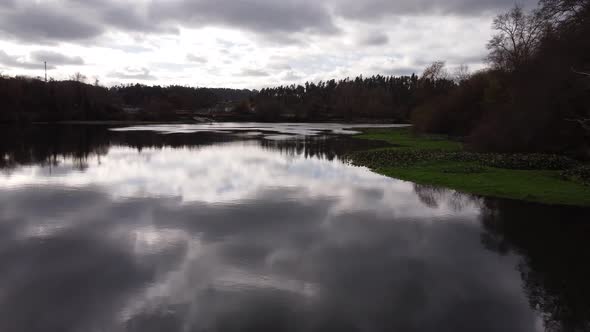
[[229, 172]]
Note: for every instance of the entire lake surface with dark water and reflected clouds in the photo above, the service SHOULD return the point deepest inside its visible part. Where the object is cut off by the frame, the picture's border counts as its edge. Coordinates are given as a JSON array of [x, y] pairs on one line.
[[144, 231]]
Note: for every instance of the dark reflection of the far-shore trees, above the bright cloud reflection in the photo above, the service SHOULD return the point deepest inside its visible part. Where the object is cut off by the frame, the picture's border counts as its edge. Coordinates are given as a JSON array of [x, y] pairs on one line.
[[49, 145]]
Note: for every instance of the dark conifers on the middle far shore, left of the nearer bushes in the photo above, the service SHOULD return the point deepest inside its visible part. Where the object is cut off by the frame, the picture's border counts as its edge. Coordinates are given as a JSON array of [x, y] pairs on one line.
[[378, 97]]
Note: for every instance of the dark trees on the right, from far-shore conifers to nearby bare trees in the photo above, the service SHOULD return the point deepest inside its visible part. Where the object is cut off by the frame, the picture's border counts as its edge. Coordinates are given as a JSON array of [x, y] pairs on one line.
[[534, 96]]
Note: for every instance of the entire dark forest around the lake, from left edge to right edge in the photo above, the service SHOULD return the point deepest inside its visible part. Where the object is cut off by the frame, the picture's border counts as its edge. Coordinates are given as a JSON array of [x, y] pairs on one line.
[[534, 95]]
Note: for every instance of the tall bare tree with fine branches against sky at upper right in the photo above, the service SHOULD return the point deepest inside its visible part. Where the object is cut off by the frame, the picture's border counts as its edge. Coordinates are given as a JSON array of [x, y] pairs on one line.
[[517, 39]]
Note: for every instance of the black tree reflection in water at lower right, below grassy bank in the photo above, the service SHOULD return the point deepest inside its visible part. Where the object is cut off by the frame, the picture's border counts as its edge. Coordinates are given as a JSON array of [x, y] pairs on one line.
[[553, 243]]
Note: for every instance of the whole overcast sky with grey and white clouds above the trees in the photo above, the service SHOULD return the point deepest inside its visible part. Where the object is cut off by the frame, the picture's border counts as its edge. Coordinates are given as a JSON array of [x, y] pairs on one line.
[[241, 43]]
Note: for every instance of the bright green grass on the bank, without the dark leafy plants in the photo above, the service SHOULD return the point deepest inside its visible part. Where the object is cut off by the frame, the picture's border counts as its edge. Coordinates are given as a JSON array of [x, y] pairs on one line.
[[543, 186]]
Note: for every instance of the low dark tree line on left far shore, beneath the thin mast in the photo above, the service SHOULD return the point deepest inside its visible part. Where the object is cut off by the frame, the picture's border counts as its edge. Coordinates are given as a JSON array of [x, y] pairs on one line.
[[26, 99]]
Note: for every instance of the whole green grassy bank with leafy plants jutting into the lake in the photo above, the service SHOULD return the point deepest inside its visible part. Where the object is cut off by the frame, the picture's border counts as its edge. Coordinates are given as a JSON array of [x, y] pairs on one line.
[[438, 161]]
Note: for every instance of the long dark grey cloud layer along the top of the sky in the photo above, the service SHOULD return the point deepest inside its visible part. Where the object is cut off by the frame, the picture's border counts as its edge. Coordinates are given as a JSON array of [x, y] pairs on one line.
[[277, 21]]
